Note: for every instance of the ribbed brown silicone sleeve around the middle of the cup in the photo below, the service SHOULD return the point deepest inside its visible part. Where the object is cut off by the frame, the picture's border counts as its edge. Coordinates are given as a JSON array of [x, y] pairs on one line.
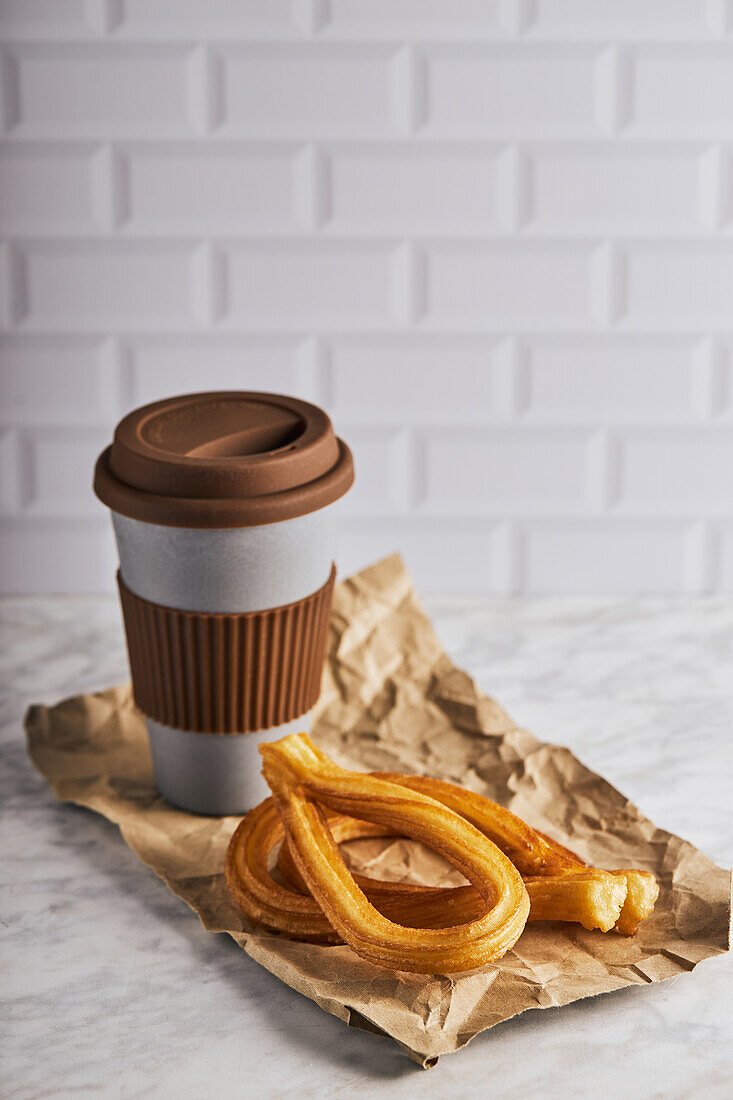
[[226, 674]]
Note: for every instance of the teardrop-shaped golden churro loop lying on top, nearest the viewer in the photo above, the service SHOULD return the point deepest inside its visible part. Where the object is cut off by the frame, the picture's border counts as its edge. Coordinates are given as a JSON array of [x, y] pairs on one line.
[[304, 780]]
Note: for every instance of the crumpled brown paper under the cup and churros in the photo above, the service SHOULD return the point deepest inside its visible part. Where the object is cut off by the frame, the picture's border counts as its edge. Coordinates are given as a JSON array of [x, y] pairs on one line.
[[392, 700]]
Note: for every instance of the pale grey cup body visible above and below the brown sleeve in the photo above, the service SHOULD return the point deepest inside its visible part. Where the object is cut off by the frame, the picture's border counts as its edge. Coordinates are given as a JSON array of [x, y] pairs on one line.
[[223, 570]]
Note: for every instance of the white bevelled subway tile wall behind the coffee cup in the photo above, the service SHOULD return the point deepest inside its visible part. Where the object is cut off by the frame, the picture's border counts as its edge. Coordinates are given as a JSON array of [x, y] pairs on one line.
[[493, 237]]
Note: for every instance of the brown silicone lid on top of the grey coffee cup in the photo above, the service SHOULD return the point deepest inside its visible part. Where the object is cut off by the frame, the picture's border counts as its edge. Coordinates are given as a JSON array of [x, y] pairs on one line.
[[227, 459]]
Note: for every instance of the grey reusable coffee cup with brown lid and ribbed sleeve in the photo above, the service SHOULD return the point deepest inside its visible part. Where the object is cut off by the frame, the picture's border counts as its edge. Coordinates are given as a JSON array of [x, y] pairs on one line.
[[224, 512]]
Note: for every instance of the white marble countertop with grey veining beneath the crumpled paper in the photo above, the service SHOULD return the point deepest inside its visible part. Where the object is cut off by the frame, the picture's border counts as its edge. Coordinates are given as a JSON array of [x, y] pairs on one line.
[[112, 987]]
